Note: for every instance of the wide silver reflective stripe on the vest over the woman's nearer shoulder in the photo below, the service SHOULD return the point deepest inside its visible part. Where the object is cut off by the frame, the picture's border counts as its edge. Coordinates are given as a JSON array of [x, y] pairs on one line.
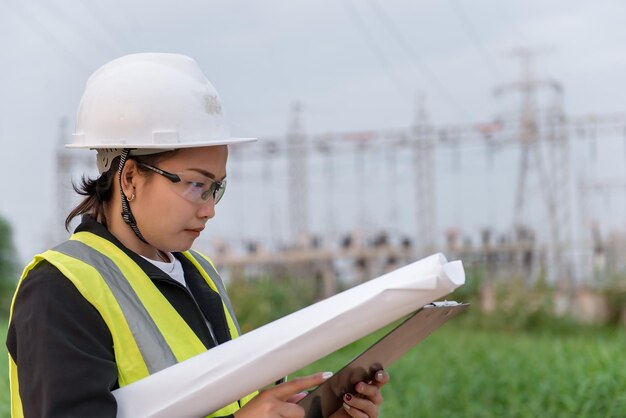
[[155, 351]]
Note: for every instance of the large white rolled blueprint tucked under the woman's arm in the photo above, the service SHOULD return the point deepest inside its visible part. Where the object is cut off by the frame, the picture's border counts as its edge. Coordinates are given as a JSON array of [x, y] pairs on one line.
[[205, 383]]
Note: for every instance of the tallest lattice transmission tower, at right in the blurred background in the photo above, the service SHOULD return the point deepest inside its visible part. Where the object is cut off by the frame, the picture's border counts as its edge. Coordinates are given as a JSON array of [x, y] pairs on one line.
[[544, 152]]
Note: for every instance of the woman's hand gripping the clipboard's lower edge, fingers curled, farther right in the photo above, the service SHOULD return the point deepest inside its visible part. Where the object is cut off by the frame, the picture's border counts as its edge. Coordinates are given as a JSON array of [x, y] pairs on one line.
[[366, 404]]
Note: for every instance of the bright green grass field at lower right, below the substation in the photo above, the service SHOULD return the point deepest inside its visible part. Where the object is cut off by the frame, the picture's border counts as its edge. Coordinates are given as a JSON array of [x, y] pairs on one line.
[[458, 372]]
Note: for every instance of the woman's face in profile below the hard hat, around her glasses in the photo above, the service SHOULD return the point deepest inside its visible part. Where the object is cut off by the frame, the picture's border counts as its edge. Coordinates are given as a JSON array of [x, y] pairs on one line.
[[167, 218]]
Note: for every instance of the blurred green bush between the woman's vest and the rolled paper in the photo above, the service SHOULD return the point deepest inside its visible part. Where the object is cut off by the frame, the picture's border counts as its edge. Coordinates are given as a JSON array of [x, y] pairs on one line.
[[261, 300]]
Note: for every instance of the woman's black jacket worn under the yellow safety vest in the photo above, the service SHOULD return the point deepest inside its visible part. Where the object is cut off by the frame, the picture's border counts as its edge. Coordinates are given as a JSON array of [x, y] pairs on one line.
[[63, 348]]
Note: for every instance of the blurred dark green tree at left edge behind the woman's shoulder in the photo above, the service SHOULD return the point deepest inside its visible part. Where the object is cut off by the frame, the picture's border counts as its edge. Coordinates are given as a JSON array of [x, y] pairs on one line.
[[8, 266]]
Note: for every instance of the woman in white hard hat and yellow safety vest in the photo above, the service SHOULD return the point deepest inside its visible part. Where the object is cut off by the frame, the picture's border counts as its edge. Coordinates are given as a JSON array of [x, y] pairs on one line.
[[124, 297]]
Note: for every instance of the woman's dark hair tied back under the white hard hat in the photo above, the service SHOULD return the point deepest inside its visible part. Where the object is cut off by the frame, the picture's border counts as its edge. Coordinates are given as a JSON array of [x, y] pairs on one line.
[[99, 191]]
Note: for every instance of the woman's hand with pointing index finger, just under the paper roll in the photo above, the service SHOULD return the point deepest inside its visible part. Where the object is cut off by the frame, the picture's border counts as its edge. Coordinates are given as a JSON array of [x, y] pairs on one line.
[[279, 401]]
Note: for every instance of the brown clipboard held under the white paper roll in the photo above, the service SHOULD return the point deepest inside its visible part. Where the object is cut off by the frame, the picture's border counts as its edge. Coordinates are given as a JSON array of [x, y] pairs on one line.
[[328, 397]]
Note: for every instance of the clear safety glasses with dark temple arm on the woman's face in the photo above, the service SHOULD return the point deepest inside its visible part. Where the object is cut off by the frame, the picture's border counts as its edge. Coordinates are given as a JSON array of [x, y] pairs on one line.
[[192, 186]]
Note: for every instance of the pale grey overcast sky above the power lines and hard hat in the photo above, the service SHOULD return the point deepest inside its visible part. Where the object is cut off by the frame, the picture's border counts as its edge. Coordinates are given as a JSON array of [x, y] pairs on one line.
[[353, 64]]
